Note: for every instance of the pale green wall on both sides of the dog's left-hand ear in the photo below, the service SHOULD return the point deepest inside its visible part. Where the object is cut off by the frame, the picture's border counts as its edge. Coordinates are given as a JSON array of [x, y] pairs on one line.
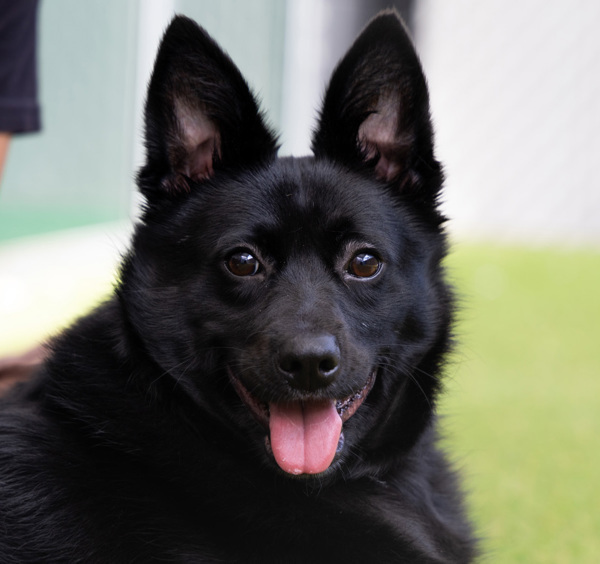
[[80, 168]]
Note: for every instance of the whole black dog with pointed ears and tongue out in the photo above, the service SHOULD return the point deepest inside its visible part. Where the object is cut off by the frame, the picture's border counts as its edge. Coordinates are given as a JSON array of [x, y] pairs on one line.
[[261, 388]]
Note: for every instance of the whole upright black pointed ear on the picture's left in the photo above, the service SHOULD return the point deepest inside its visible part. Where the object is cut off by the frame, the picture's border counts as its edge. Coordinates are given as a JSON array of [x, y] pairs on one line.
[[200, 115]]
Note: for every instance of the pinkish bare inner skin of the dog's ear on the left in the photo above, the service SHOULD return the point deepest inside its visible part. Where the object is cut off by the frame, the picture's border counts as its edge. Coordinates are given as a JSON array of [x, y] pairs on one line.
[[201, 142]]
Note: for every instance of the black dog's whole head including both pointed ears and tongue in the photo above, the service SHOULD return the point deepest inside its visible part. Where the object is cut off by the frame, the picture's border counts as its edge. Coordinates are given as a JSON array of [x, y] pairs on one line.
[[298, 302]]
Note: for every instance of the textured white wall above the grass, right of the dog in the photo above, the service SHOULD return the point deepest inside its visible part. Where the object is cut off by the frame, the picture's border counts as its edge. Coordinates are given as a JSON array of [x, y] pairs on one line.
[[515, 89]]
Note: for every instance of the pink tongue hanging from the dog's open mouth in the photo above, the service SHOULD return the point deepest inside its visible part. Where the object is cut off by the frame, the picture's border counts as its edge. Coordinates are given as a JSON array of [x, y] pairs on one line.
[[304, 435]]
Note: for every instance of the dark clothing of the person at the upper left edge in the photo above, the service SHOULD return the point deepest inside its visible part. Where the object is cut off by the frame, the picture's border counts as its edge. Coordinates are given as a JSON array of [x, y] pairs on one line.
[[19, 107]]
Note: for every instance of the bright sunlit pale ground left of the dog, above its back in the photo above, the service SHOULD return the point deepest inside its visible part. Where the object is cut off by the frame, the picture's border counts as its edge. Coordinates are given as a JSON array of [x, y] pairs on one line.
[[47, 281]]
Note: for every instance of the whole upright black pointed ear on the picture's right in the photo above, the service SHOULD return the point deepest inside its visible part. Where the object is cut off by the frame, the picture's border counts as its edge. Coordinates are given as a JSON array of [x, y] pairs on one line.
[[375, 113]]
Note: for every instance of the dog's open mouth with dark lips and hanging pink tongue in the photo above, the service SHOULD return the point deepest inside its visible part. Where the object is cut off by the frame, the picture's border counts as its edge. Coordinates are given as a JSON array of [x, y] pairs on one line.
[[304, 436]]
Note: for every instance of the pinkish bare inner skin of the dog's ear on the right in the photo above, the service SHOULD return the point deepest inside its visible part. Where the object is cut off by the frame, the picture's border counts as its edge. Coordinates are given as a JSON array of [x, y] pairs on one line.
[[378, 135]]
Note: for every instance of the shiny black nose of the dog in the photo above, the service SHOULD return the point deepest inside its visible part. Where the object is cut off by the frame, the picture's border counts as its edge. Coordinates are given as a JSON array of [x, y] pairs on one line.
[[310, 362]]
